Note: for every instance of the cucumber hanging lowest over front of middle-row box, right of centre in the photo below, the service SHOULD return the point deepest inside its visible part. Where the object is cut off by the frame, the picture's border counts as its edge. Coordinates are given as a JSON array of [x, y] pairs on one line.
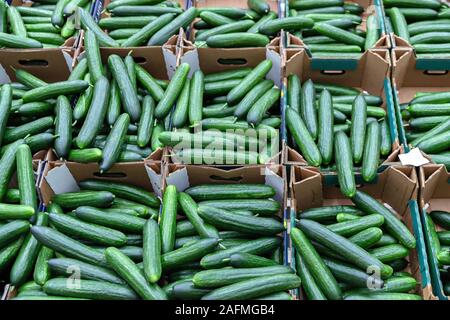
[[344, 164]]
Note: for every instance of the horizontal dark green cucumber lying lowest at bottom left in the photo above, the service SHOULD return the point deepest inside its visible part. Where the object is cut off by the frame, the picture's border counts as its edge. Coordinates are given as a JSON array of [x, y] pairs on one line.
[[89, 289]]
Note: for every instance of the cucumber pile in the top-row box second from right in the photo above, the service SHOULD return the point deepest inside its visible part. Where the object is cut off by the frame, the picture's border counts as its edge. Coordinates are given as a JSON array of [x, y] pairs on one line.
[[335, 27]]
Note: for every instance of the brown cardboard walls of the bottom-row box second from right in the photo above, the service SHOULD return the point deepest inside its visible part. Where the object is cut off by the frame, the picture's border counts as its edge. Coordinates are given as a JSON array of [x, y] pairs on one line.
[[396, 187]]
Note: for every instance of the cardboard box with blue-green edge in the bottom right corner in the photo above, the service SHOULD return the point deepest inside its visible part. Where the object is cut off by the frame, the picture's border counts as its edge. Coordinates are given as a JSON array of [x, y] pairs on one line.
[[434, 195]]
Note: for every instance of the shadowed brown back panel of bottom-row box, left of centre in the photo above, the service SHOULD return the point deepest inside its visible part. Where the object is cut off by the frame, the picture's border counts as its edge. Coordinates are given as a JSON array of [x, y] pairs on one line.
[[133, 173]]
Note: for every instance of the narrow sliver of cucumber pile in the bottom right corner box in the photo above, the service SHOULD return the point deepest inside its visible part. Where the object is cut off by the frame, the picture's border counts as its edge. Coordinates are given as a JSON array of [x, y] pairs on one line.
[[438, 223]]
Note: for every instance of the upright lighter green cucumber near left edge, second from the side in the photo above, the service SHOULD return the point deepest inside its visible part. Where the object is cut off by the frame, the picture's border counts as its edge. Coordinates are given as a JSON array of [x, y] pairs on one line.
[[25, 177]]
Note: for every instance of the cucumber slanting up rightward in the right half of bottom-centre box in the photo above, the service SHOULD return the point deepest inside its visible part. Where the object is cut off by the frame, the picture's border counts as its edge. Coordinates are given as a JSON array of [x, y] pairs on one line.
[[257, 246]]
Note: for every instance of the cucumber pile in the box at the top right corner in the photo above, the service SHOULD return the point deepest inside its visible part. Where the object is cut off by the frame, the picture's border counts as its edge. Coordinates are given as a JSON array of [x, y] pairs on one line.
[[425, 24]]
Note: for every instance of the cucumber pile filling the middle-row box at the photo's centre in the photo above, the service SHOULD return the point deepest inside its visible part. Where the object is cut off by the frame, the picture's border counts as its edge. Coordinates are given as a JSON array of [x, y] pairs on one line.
[[236, 111]]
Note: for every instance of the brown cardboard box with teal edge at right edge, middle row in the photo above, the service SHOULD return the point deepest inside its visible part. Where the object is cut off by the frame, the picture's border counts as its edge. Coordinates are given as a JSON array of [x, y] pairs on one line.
[[409, 76]]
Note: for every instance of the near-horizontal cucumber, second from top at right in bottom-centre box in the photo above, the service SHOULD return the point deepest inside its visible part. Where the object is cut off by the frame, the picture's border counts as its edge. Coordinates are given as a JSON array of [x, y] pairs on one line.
[[259, 206]]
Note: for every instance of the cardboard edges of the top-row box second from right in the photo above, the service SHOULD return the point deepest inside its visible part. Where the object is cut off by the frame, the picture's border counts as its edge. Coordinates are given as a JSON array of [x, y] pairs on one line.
[[370, 7]]
